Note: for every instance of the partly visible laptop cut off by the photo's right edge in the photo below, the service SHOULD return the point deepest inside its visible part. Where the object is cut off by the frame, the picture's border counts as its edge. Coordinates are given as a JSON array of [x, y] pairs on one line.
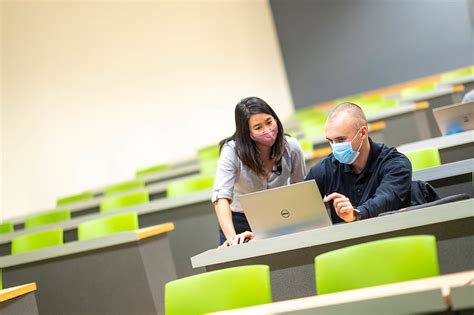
[[455, 118]]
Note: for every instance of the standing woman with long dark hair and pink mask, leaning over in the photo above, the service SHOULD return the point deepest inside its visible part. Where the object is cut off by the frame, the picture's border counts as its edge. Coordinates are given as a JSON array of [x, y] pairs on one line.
[[257, 156]]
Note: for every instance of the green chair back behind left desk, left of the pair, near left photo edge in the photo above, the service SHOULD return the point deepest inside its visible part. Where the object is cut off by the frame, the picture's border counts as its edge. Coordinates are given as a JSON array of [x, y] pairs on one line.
[[38, 240]]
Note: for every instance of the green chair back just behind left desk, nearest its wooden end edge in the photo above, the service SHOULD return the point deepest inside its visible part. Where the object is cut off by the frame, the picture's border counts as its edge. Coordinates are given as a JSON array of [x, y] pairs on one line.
[[108, 225]]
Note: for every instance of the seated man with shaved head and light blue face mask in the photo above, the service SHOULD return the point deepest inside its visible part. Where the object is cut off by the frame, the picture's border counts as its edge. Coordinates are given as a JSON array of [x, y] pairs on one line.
[[362, 178]]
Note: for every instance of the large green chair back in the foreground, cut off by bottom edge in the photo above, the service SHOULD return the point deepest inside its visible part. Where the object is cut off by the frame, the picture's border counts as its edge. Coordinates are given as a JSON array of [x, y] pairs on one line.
[[219, 290]]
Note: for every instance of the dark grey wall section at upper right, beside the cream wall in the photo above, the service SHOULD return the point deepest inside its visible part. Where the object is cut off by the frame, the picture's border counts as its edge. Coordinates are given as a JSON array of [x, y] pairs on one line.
[[335, 48]]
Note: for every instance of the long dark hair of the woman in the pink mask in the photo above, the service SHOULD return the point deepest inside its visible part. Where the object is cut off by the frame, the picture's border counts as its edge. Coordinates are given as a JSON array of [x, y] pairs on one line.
[[245, 147]]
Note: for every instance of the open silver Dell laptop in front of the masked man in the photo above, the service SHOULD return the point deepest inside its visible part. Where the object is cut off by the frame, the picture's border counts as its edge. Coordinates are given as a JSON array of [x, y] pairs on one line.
[[284, 210]]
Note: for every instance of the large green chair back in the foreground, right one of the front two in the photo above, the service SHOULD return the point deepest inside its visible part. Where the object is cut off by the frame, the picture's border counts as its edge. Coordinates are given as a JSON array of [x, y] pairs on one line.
[[376, 263]]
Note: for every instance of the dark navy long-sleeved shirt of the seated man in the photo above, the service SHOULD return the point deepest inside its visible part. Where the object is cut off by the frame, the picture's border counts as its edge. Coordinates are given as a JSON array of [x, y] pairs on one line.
[[383, 185]]
